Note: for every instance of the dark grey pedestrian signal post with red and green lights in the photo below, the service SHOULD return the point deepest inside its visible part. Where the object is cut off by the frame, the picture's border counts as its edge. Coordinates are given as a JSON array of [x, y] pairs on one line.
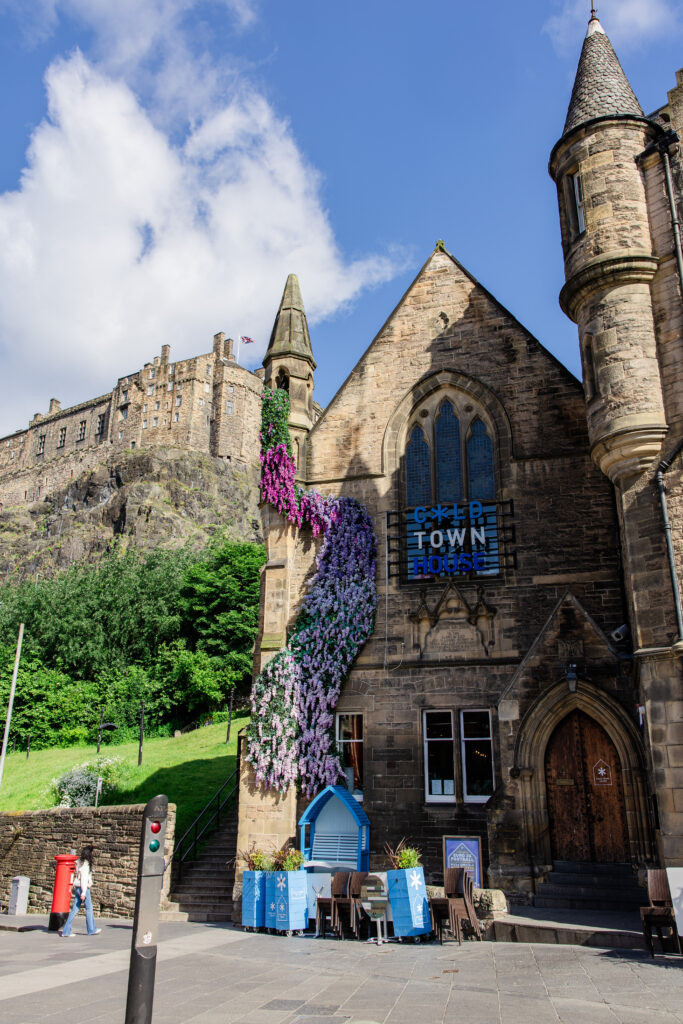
[[144, 947]]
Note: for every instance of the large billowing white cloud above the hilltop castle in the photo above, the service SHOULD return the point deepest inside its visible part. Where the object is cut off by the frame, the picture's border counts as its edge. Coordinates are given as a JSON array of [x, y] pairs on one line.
[[118, 241]]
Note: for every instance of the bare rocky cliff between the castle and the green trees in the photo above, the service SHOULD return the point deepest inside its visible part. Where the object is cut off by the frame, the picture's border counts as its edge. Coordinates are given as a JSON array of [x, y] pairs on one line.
[[157, 498]]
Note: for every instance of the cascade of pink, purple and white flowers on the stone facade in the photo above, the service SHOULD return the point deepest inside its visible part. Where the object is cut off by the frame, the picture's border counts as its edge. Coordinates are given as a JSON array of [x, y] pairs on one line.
[[291, 735]]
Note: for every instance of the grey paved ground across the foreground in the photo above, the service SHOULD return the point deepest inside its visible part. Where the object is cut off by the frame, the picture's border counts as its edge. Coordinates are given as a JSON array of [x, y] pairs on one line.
[[214, 974]]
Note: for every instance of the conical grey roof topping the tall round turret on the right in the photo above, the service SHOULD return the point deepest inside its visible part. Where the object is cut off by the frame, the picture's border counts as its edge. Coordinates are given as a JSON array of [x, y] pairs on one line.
[[601, 89]]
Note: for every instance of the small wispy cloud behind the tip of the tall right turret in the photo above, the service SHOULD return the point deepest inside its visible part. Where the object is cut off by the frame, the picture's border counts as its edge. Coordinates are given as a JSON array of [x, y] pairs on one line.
[[628, 23]]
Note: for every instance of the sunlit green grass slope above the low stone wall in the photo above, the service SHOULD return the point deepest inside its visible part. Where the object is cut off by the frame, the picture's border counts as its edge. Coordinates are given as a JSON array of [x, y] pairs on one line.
[[189, 770]]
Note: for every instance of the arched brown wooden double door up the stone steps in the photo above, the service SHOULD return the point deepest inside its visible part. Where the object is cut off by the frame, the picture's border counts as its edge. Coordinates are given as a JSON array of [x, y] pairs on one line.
[[586, 812]]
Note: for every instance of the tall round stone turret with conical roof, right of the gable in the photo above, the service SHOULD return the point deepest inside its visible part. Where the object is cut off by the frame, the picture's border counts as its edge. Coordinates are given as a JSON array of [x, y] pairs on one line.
[[609, 261]]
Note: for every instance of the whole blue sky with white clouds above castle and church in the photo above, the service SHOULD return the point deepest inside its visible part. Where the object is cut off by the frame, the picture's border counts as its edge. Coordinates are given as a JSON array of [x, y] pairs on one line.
[[167, 163]]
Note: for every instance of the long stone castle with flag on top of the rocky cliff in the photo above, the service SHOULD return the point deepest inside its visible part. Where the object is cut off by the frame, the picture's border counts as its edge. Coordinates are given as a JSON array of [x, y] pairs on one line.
[[206, 404]]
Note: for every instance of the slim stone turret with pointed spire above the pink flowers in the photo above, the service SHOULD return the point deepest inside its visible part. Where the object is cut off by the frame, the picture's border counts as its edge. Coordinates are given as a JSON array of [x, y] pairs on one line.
[[289, 364]]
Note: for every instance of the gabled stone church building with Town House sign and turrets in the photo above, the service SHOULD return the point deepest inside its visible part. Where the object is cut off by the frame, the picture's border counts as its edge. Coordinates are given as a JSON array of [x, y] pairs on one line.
[[523, 684]]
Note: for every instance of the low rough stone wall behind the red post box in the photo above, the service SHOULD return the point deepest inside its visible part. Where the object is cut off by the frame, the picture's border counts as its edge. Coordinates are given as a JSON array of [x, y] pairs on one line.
[[30, 841]]
